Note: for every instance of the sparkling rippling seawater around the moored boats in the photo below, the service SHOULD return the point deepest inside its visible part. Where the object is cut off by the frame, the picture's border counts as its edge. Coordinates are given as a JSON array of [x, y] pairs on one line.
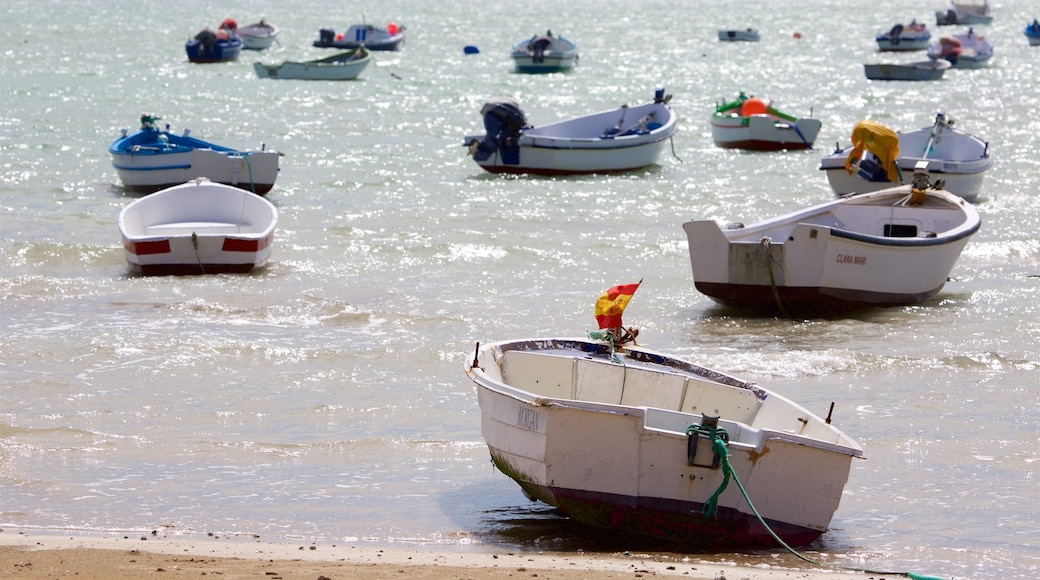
[[324, 399]]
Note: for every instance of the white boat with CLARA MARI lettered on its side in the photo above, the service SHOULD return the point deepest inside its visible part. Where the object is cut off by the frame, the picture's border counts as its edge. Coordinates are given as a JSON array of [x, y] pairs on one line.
[[890, 248]]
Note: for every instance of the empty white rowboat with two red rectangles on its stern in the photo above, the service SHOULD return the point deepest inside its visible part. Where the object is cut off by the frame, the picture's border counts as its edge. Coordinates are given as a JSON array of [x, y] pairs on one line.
[[198, 228]]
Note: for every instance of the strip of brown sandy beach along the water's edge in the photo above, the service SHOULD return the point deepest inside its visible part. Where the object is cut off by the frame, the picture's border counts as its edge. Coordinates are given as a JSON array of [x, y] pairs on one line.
[[29, 556]]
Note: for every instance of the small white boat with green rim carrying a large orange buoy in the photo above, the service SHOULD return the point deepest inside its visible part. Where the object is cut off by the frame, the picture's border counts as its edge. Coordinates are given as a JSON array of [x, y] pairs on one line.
[[753, 124]]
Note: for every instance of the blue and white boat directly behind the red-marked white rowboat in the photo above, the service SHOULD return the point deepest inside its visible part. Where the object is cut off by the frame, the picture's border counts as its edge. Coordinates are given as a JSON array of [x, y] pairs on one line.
[[151, 160]]
